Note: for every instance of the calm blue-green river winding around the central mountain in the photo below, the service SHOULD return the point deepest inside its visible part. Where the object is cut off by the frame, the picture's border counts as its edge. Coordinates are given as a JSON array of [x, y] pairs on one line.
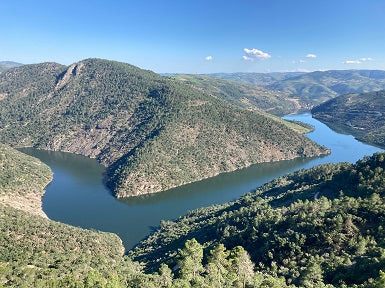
[[78, 197]]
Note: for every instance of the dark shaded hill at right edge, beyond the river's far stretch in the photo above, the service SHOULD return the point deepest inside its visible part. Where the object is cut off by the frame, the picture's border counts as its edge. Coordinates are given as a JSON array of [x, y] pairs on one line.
[[361, 115]]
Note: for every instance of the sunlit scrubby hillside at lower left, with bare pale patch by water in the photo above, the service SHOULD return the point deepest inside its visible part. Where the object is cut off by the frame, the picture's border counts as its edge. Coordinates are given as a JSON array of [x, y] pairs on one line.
[[35, 250]]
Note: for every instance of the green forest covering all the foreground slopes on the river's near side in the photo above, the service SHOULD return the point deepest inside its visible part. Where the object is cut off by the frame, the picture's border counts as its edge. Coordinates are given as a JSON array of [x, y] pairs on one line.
[[321, 227]]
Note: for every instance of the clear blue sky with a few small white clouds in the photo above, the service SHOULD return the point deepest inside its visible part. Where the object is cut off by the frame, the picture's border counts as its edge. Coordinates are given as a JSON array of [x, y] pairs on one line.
[[198, 36]]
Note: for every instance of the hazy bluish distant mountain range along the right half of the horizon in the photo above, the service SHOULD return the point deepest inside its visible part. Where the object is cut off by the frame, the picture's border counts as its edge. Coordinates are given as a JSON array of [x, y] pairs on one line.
[[315, 87]]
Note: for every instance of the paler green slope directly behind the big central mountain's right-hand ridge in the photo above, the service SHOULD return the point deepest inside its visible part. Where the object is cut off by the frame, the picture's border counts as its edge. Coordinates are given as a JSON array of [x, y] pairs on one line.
[[243, 95]]
